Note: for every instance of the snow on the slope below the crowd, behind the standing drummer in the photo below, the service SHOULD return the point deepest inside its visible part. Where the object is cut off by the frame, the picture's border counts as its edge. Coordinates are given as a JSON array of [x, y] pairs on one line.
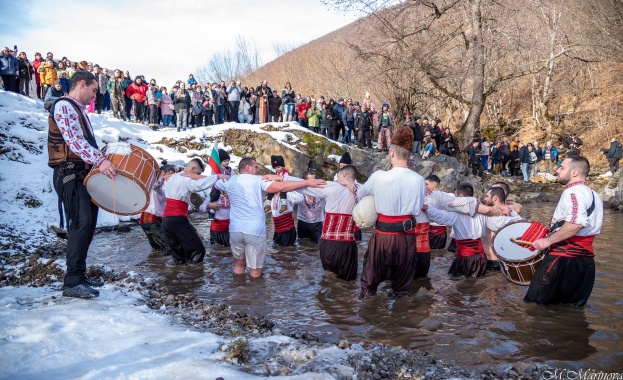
[[28, 200]]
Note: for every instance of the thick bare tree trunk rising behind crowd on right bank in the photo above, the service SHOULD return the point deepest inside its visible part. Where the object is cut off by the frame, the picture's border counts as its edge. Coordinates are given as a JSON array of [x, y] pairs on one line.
[[472, 123]]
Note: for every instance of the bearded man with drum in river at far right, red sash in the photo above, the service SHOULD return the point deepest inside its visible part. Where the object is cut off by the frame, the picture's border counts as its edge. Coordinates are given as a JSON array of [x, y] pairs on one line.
[[567, 274]]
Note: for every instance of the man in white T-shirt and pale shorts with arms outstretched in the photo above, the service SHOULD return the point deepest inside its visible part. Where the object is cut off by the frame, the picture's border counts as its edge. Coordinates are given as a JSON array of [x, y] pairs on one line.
[[247, 228]]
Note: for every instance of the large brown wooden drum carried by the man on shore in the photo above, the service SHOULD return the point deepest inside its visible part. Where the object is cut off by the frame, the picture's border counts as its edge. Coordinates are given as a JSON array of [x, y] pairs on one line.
[[128, 194]]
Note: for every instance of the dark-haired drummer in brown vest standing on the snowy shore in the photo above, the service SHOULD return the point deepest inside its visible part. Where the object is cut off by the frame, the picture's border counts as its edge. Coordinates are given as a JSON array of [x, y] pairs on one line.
[[72, 152]]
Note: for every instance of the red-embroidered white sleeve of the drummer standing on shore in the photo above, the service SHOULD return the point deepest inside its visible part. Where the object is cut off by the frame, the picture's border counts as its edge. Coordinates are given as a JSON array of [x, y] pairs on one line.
[[68, 122]]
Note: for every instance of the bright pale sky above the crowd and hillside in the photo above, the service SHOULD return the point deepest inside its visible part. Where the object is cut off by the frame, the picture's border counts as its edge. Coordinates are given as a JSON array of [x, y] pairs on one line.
[[162, 39]]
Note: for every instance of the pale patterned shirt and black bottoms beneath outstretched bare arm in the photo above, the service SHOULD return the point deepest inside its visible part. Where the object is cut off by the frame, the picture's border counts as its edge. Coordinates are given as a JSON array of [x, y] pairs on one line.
[[309, 214]]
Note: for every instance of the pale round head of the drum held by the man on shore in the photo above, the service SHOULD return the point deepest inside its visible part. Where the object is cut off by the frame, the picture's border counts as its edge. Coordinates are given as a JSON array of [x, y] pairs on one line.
[[122, 197]]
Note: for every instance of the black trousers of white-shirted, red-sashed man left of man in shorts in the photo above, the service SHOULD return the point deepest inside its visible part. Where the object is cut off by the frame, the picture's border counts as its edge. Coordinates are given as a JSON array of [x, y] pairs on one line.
[[186, 246]]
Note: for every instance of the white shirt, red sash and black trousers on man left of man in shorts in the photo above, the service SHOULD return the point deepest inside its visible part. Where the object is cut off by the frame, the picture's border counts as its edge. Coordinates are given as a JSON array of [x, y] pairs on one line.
[[186, 245]]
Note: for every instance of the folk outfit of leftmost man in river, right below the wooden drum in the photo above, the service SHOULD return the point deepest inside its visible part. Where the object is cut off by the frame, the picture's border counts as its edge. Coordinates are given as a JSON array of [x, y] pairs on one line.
[[151, 219]]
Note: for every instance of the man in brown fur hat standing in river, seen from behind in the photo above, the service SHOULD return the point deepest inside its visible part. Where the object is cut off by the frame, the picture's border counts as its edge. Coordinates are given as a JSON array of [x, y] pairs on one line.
[[398, 197]]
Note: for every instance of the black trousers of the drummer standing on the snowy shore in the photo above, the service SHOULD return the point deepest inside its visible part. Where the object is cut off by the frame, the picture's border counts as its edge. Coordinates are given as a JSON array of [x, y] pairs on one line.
[[81, 216]]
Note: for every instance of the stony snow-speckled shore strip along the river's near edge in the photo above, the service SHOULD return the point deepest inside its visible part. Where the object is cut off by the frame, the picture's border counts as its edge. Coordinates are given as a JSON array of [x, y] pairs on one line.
[[363, 360]]
